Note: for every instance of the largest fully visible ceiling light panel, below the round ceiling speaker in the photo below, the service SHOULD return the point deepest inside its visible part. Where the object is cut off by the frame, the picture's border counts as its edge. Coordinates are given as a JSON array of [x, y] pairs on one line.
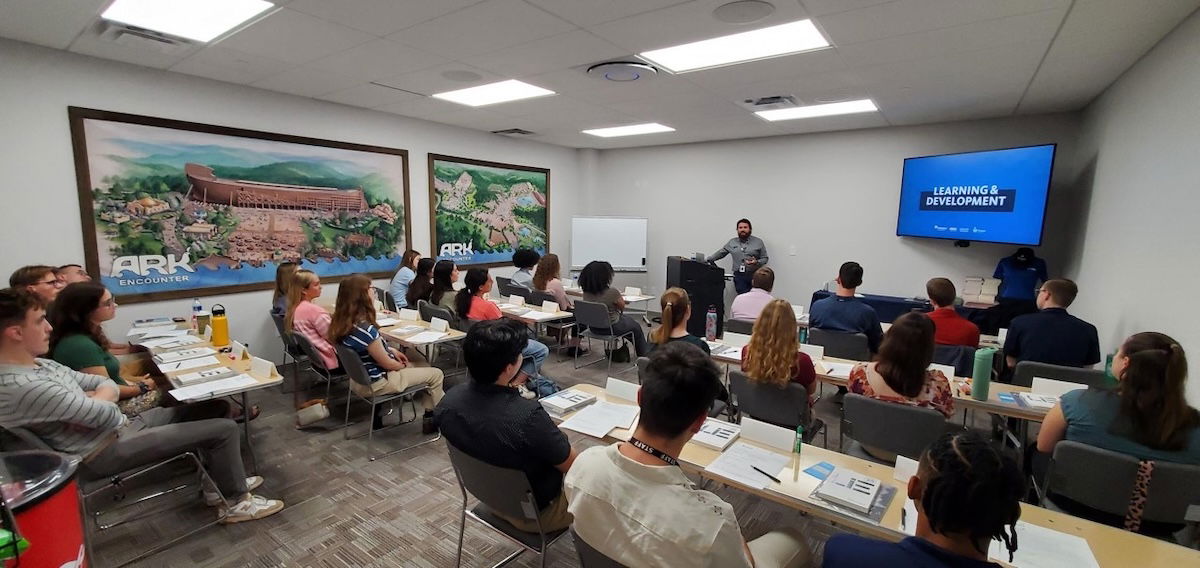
[[749, 46]]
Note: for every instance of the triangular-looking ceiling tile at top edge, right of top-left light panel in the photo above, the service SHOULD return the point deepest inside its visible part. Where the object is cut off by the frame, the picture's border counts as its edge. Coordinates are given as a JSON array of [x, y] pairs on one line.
[[379, 17]]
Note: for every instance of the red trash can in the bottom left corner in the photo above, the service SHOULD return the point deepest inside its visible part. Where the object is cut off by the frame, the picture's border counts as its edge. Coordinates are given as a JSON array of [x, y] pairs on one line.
[[41, 491]]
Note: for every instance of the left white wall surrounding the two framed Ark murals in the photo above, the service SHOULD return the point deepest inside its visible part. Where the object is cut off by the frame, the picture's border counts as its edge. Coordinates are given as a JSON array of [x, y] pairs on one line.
[[40, 212]]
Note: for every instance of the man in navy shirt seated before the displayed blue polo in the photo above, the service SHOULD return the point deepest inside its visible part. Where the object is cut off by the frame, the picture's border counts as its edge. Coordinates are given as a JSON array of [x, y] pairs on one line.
[[1053, 336]]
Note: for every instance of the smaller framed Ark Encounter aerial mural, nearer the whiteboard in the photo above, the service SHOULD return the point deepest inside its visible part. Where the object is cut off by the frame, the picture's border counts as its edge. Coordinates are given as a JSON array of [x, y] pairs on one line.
[[482, 212]]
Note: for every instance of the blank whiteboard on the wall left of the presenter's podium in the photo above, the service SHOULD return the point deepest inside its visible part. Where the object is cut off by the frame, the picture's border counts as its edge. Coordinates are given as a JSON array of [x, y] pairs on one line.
[[619, 241]]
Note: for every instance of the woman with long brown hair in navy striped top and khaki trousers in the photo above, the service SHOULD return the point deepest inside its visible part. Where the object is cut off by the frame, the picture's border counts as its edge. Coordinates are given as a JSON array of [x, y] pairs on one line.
[[355, 326]]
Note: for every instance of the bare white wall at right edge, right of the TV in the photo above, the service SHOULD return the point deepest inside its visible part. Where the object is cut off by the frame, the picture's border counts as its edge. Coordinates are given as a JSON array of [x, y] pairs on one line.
[[1139, 148]]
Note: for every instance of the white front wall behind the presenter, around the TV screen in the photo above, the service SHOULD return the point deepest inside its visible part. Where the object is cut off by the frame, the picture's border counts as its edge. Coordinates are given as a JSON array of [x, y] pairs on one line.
[[820, 200]]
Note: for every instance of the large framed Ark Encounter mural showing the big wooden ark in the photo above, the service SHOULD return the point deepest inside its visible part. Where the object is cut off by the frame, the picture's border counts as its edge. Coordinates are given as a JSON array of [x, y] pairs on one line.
[[175, 210]]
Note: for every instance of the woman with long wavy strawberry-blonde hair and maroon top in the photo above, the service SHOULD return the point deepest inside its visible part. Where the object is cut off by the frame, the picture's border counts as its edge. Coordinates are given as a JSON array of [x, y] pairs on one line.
[[775, 356]]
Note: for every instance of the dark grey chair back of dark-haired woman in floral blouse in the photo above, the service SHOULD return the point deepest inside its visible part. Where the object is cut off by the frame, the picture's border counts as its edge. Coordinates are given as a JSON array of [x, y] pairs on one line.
[[884, 431]]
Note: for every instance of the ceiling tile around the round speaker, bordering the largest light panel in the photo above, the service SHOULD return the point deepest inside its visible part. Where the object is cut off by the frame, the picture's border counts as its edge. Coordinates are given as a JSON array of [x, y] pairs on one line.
[[685, 23]]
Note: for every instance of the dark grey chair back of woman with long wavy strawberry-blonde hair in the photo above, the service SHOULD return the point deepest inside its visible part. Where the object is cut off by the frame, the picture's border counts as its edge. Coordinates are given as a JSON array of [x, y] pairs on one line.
[[785, 408]]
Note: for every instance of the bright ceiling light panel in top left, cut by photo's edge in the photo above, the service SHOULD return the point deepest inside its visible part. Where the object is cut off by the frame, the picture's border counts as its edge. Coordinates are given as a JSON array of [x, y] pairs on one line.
[[201, 21]]
